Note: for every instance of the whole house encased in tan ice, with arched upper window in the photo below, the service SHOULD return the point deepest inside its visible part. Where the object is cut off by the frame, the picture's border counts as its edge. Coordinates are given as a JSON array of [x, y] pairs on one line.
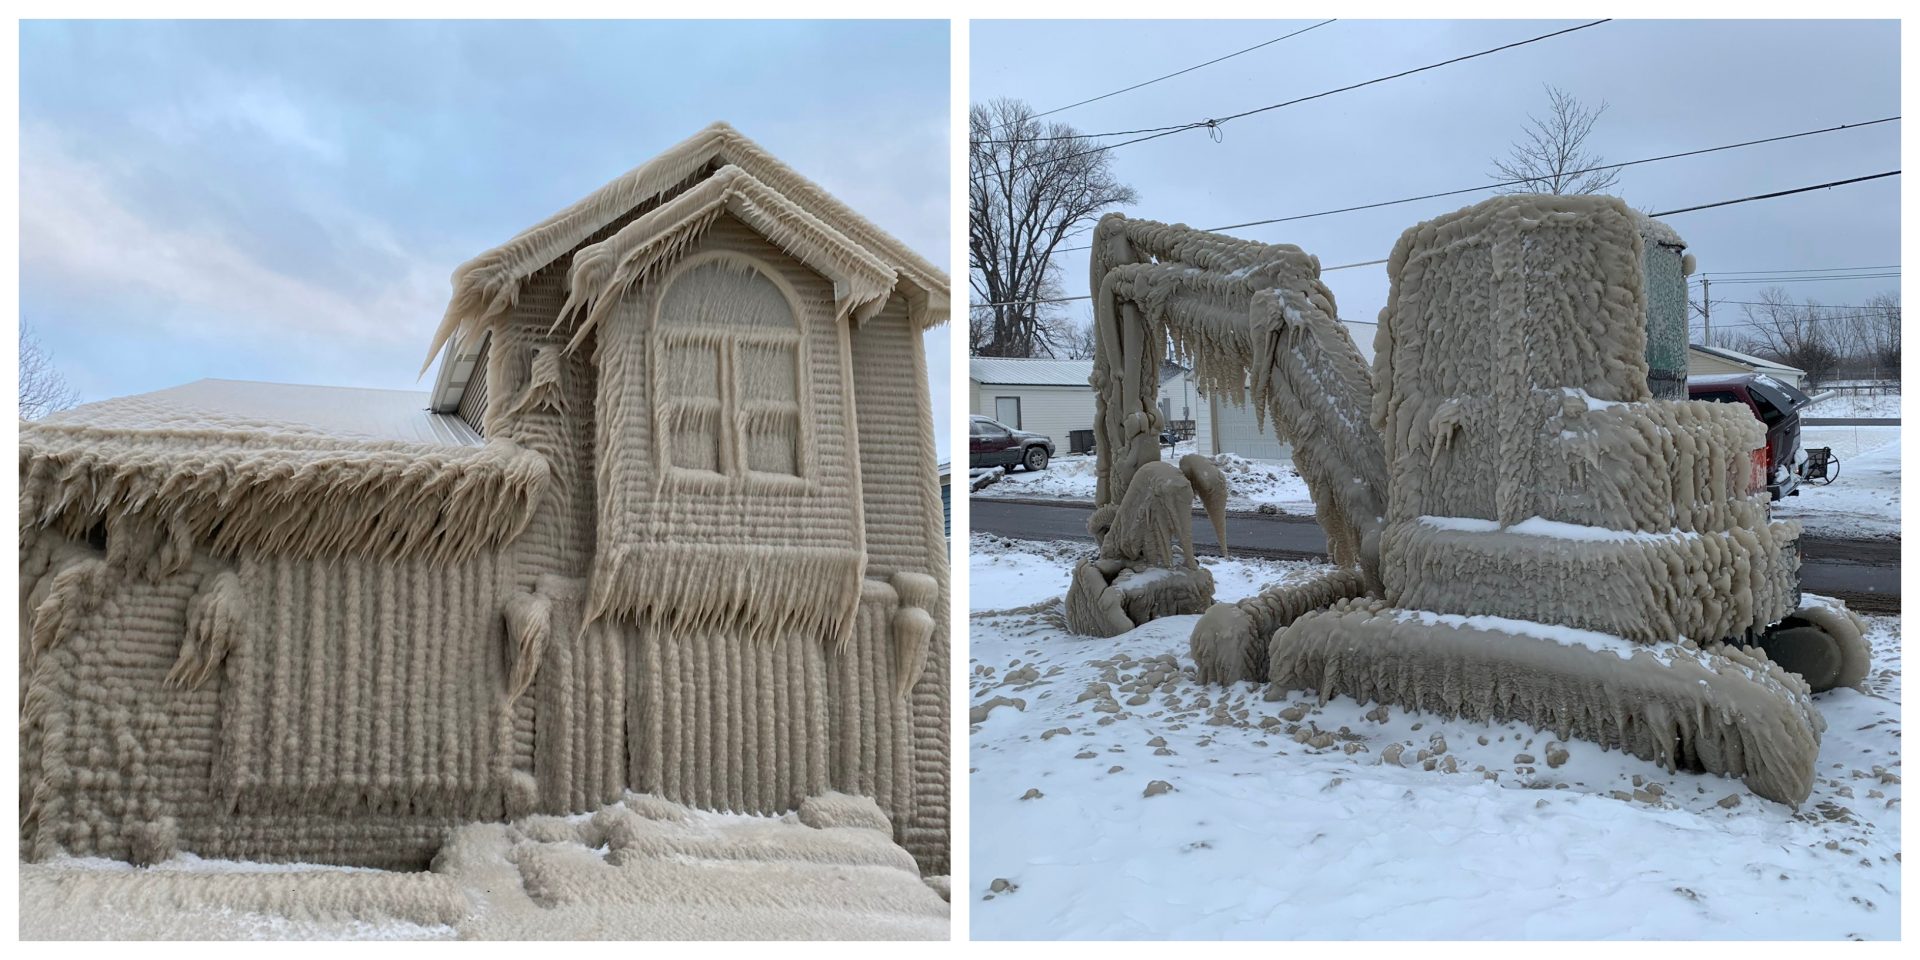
[[669, 523]]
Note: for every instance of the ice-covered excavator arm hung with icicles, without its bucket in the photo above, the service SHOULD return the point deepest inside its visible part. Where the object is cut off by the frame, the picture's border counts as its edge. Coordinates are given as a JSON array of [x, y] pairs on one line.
[[1257, 325]]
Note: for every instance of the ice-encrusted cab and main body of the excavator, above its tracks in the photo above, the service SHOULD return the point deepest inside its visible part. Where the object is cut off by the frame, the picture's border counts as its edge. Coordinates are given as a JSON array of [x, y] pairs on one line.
[[1512, 387]]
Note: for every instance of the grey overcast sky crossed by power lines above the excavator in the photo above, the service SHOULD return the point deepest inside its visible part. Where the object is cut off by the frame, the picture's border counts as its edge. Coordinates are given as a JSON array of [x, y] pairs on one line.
[[1669, 85]]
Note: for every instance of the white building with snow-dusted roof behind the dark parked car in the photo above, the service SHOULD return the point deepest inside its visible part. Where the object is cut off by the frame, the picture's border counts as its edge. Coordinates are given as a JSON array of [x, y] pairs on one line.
[[1053, 396]]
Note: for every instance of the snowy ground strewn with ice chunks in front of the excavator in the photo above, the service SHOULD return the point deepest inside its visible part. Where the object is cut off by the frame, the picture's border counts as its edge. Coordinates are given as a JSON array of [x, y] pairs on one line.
[[1203, 811]]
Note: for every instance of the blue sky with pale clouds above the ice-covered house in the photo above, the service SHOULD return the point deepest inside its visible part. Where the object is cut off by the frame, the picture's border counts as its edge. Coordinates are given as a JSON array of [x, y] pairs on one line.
[[287, 201]]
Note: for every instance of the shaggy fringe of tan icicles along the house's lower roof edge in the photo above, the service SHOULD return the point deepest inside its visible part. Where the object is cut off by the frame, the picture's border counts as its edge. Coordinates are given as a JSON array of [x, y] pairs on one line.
[[166, 492]]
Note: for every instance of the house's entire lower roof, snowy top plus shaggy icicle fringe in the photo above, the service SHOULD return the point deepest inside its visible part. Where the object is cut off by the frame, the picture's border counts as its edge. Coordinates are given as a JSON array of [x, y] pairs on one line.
[[308, 471]]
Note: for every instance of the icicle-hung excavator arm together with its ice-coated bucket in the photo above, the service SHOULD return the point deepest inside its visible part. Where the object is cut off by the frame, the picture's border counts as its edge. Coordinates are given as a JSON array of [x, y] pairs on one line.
[[1251, 320]]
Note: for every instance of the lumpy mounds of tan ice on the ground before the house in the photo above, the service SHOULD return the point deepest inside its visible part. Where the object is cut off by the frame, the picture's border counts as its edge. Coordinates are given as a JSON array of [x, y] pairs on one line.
[[640, 869]]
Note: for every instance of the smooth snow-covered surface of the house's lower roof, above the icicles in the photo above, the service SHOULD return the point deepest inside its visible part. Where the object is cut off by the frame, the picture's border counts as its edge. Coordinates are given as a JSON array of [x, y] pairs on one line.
[[335, 412]]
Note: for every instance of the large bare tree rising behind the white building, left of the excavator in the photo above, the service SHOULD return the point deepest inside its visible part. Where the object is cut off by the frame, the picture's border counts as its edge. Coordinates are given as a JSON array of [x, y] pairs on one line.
[[1032, 185]]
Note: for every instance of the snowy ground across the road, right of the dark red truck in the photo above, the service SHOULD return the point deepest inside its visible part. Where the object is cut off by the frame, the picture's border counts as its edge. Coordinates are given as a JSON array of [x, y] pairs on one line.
[[1865, 502]]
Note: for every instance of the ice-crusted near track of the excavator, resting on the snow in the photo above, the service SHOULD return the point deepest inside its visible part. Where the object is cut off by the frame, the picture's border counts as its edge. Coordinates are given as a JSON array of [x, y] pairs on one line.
[[1725, 711]]
